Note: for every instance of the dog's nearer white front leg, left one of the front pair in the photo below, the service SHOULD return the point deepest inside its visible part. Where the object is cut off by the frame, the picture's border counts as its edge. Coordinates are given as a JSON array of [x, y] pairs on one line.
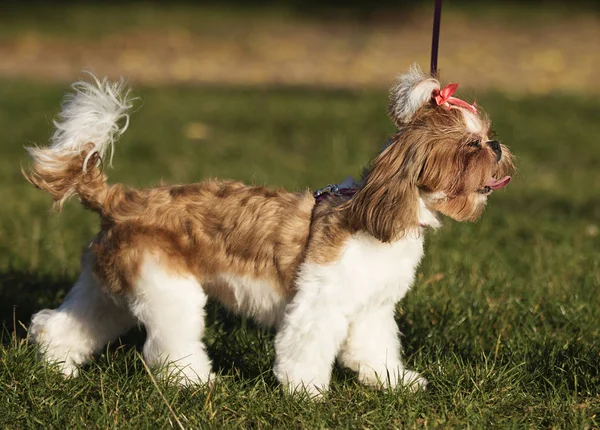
[[310, 336]]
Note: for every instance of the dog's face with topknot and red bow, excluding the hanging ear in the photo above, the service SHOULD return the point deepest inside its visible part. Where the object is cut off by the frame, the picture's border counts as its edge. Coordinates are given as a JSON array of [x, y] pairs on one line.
[[446, 142]]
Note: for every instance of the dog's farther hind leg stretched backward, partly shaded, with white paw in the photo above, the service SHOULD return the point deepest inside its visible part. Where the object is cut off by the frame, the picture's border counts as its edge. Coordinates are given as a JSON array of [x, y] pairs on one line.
[[87, 320]]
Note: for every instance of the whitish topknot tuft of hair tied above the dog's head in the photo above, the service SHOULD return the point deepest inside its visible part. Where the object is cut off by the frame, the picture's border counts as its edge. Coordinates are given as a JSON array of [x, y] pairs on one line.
[[411, 92]]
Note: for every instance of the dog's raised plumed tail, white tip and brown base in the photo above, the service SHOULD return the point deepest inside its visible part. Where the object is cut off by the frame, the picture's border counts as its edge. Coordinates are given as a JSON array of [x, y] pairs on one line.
[[91, 120]]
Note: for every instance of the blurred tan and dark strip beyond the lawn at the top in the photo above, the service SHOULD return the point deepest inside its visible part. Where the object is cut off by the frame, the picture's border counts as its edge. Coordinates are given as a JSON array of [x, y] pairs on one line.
[[513, 46]]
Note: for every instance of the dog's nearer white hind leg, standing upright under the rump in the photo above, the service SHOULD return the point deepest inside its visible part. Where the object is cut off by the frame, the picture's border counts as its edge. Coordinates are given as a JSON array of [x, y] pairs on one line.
[[170, 304]]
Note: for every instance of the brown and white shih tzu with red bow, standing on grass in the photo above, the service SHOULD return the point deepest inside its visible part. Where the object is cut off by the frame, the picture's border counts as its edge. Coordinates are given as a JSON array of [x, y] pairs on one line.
[[326, 271]]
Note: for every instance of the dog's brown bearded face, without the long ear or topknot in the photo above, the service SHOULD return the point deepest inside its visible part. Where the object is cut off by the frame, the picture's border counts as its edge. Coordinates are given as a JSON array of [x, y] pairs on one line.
[[460, 165]]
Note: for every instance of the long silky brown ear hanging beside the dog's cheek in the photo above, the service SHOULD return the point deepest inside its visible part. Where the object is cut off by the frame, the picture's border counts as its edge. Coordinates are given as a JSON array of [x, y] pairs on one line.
[[387, 204]]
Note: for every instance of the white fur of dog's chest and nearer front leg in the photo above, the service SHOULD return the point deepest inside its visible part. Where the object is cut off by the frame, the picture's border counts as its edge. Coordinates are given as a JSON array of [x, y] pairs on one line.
[[368, 274]]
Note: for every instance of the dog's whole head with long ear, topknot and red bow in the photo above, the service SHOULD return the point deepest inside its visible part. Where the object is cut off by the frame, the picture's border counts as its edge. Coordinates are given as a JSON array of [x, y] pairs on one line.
[[442, 153]]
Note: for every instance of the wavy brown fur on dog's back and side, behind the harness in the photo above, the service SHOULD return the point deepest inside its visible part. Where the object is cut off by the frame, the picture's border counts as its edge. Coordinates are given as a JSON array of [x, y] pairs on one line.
[[203, 229]]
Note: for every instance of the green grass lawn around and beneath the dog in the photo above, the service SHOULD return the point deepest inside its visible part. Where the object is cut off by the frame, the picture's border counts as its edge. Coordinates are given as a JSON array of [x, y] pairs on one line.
[[503, 318]]
